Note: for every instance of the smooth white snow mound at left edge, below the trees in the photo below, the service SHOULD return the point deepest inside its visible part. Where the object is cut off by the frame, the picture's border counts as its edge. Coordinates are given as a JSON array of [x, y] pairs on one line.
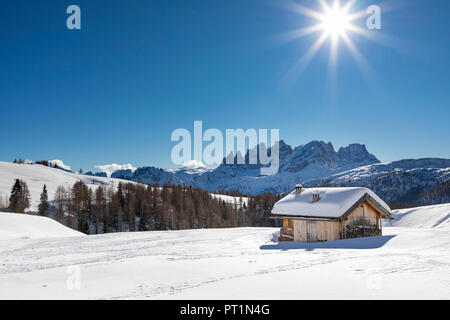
[[24, 226]]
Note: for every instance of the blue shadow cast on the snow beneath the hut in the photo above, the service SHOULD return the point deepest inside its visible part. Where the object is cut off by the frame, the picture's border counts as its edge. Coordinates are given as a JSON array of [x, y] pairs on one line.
[[358, 243]]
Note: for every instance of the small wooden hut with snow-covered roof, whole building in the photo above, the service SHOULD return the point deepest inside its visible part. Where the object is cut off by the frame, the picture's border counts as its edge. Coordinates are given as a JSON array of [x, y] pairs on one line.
[[325, 214]]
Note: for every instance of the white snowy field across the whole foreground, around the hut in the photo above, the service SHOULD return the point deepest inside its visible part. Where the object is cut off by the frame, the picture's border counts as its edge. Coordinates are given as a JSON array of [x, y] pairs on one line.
[[408, 262]]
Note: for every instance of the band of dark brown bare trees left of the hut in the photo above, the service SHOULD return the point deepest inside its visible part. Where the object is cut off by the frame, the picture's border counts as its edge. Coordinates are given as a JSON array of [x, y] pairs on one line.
[[138, 207]]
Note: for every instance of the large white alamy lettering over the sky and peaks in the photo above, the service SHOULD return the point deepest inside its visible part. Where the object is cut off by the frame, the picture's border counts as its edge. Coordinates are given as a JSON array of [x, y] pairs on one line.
[[241, 147]]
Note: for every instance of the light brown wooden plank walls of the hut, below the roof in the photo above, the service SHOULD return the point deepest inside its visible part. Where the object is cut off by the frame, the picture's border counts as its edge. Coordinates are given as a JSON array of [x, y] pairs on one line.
[[329, 230]]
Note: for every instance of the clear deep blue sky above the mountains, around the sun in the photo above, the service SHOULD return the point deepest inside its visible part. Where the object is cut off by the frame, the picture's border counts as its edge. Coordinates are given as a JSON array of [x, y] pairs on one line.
[[115, 90]]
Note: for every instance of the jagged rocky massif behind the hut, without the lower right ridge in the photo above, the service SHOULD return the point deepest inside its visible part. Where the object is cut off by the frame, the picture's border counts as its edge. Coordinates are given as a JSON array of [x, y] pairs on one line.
[[313, 160]]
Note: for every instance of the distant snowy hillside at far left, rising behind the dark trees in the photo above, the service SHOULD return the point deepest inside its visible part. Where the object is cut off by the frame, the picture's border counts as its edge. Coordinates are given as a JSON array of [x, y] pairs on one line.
[[37, 175]]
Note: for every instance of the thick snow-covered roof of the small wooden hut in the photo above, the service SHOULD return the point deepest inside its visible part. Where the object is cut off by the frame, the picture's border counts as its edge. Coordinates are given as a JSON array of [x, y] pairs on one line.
[[334, 202]]
